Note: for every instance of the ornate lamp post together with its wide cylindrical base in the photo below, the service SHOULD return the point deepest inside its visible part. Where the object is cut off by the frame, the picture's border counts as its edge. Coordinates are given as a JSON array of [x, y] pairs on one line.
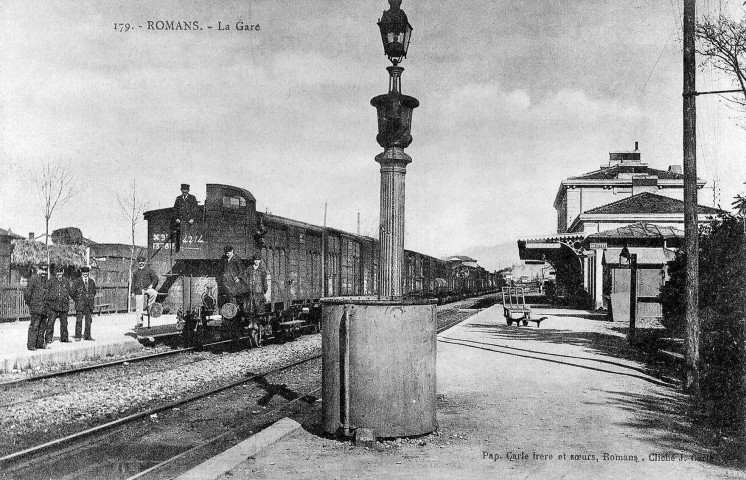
[[379, 376]]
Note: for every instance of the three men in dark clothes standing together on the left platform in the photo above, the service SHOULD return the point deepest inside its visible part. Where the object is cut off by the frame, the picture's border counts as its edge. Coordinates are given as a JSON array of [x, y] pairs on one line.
[[49, 299]]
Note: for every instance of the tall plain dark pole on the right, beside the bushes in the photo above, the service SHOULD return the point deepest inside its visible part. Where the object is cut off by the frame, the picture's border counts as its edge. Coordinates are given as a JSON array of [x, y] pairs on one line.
[[691, 234]]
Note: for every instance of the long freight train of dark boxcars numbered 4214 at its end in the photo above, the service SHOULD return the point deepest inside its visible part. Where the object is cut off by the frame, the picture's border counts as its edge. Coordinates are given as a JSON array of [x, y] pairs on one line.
[[305, 262]]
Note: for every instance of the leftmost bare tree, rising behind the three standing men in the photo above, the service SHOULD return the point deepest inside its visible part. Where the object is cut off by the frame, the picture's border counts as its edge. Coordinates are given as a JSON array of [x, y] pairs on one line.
[[55, 185]]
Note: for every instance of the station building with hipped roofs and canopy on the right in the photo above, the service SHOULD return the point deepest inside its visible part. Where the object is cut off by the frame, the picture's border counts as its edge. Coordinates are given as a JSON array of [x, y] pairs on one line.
[[625, 203]]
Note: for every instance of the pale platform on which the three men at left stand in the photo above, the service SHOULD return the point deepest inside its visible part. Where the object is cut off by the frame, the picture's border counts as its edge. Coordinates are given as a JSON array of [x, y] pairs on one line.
[[113, 335]]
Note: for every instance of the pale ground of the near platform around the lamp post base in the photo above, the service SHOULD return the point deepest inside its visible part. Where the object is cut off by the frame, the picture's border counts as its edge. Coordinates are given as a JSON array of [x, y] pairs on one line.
[[525, 403]]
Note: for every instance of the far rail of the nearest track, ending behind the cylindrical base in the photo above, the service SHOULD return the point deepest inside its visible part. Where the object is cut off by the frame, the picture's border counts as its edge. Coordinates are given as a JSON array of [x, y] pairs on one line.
[[131, 418]]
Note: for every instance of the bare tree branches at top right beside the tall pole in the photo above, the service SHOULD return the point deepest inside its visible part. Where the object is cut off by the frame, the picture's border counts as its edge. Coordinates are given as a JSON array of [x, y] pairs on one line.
[[722, 41]]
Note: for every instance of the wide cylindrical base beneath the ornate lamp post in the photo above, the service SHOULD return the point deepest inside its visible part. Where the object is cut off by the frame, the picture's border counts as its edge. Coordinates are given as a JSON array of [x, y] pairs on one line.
[[379, 366]]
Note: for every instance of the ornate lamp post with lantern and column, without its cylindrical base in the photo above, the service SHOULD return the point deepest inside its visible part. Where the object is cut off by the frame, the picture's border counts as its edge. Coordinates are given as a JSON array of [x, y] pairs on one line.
[[394, 126]]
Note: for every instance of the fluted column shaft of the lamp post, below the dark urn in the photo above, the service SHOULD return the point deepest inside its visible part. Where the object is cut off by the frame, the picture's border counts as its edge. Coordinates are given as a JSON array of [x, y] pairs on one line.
[[391, 240]]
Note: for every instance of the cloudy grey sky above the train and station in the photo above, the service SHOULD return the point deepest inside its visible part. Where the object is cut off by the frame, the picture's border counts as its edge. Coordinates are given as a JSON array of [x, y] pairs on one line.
[[515, 96]]
